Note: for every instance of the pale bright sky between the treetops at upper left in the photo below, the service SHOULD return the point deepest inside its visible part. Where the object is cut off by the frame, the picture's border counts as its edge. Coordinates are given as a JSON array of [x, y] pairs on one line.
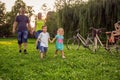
[[37, 4]]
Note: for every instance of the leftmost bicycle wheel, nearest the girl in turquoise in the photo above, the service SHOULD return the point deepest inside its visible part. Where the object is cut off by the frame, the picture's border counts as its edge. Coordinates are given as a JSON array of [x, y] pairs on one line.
[[73, 44]]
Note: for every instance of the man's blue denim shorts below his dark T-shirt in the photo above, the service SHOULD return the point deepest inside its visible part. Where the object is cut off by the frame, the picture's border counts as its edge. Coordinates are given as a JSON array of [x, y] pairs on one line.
[[22, 37]]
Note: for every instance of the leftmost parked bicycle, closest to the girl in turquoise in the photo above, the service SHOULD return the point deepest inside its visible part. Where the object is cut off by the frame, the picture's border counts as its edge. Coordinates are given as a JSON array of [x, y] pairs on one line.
[[74, 42]]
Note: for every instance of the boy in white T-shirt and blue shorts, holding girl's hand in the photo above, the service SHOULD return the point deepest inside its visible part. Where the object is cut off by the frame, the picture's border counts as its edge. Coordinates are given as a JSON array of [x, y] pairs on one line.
[[43, 38]]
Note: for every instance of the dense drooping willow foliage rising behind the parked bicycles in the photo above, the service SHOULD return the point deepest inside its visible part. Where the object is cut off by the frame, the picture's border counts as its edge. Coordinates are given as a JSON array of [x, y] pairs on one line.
[[75, 14]]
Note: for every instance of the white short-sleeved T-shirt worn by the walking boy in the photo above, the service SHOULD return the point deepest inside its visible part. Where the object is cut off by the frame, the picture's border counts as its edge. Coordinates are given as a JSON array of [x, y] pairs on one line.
[[43, 37]]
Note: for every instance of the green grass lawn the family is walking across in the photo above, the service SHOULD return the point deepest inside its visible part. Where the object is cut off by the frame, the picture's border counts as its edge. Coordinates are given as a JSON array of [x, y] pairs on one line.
[[78, 65]]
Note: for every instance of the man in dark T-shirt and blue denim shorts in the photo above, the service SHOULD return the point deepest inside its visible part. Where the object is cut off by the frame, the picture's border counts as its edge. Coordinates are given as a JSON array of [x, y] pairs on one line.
[[23, 25]]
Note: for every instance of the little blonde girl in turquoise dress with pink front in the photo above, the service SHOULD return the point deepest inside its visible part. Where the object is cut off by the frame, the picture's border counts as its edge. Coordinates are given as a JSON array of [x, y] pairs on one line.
[[59, 42]]
